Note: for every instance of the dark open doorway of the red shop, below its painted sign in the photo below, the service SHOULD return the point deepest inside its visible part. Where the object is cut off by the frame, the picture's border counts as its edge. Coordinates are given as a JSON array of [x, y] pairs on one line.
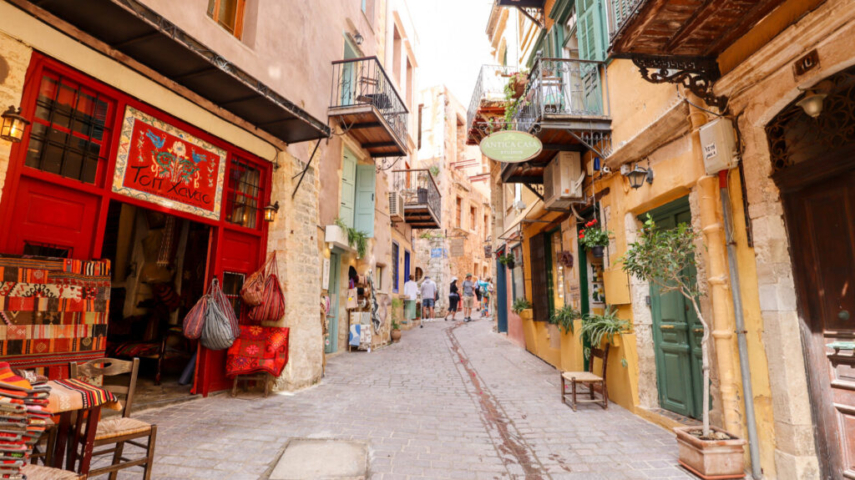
[[159, 273]]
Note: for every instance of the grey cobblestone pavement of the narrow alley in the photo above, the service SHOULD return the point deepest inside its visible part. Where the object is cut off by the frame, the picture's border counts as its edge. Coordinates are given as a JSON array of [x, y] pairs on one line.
[[451, 400]]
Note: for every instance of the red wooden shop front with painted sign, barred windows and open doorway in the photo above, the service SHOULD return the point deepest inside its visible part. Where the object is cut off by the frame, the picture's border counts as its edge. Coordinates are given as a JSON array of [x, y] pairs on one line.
[[122, 192]]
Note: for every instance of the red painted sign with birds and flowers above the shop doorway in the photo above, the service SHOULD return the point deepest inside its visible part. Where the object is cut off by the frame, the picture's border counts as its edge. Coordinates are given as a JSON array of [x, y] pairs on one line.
[[161, 164]]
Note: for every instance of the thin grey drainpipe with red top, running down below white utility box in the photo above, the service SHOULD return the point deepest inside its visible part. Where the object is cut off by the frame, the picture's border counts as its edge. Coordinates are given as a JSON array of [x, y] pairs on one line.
[[742, 344]]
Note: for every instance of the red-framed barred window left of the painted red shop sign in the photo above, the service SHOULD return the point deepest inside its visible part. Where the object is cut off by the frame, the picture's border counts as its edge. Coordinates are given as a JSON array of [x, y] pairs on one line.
[[69, 134]]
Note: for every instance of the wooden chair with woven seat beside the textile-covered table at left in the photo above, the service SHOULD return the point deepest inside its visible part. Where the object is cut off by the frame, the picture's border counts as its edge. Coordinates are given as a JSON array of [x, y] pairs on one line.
[[117, 431]]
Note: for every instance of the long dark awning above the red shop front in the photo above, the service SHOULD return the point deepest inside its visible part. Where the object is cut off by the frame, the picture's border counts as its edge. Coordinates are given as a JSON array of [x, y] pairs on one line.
[[142, 34]]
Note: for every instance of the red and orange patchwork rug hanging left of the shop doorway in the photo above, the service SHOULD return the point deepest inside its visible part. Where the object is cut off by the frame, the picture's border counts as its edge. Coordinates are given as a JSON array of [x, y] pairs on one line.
[[53, 311]]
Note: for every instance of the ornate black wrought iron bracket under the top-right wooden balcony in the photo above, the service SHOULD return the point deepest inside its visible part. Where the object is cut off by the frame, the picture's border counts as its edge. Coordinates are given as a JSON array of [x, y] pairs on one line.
[[698, 74]]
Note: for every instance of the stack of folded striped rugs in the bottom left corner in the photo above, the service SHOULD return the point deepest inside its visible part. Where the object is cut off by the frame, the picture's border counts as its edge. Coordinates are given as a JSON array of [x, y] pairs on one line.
[[23, 419]]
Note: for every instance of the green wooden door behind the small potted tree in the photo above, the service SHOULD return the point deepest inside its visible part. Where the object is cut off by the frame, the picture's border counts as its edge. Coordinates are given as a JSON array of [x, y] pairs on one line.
[[677, 333]]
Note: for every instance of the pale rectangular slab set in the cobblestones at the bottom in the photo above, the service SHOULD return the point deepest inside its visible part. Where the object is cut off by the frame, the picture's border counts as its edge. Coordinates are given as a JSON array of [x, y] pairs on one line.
[[308, 458]]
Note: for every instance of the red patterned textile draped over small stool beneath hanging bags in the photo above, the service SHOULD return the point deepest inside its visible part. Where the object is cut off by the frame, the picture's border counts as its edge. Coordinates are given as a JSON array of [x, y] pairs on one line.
[[258, 349]]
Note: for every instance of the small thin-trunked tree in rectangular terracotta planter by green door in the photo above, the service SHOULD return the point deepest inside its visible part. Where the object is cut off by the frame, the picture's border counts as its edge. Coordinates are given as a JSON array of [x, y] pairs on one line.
[[662, 257]]
